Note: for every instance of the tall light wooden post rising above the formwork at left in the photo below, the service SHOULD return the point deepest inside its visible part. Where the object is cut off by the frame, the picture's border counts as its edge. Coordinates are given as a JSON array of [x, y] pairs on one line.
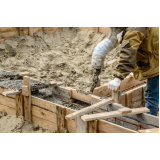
[[27, 98]]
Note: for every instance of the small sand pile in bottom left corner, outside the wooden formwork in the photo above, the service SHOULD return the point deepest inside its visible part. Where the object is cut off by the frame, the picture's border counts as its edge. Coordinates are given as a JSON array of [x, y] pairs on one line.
[[11, 124]]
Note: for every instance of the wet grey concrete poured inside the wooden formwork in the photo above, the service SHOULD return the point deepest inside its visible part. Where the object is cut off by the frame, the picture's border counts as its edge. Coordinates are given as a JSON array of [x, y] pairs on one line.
[[39, 91]]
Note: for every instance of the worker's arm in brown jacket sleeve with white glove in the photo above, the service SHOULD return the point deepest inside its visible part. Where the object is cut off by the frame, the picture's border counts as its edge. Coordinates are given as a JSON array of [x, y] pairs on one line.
[[128, 54]]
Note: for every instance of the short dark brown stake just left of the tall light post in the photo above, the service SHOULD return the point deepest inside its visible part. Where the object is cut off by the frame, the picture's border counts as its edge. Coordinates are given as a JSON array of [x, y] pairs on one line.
[[19, 105]]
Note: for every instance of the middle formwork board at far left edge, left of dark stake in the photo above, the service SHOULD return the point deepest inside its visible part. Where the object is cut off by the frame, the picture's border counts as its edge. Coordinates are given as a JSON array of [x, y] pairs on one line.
[[8, 101]]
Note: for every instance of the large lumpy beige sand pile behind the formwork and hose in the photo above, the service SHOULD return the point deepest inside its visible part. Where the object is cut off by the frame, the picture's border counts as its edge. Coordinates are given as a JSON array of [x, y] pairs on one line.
[[63, 56]]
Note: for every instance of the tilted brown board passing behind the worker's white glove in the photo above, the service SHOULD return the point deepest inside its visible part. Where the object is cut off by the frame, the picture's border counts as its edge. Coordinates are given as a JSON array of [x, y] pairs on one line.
[[127, 83]]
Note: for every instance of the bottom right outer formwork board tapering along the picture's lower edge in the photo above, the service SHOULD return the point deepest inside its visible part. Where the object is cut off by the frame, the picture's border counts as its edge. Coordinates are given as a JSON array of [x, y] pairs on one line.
[[108, 127]]
